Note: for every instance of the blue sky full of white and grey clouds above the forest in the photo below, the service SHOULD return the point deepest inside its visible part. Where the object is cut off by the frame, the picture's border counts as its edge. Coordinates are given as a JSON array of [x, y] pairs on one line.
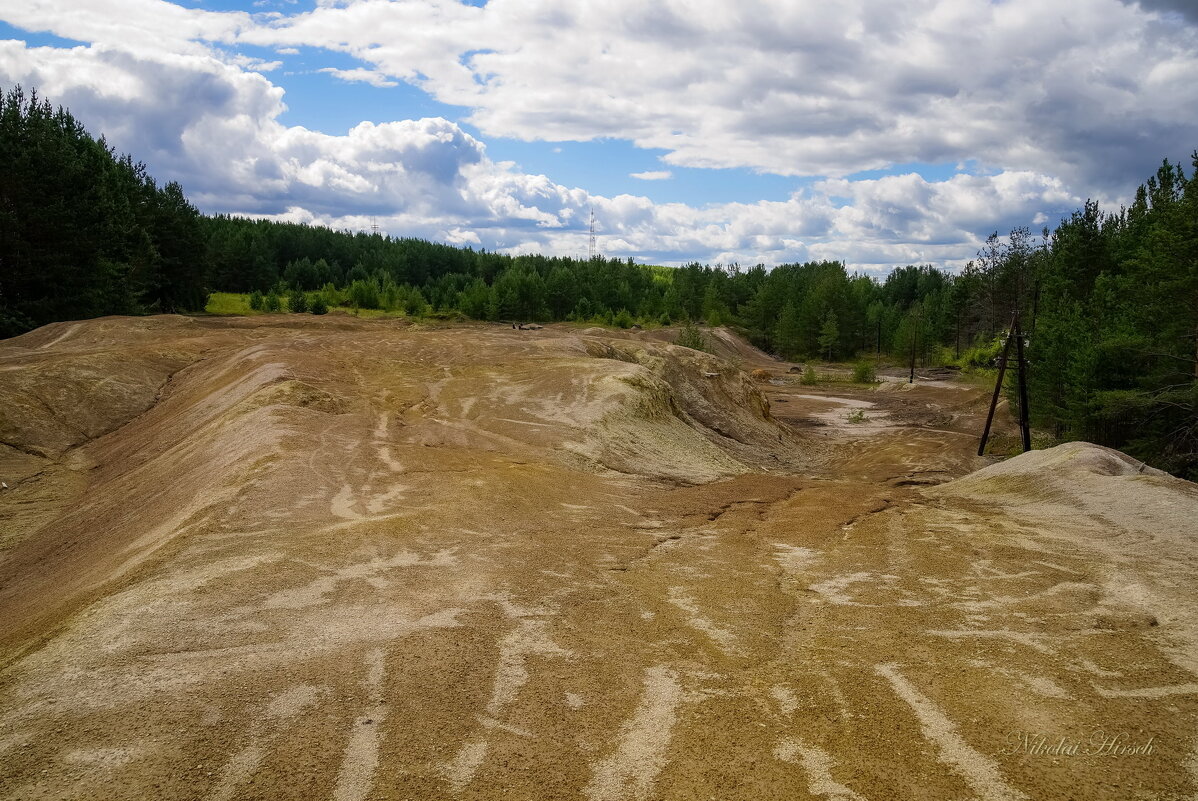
[[875, 132]]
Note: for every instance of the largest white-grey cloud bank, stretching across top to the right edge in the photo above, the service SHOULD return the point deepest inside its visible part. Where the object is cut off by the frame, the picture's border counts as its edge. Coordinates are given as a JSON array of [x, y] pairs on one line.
[[798, 87]]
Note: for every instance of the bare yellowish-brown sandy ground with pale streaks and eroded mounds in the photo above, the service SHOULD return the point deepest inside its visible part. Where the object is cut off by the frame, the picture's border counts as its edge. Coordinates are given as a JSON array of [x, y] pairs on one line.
[[324, 559]]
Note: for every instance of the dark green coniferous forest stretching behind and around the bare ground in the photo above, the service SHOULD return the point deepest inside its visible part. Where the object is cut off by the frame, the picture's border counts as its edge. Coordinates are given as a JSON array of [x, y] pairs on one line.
[[1109, 300]]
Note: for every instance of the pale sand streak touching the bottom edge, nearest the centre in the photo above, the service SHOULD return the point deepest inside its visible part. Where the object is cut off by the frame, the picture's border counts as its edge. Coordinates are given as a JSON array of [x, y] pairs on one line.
[[644, 742]]
